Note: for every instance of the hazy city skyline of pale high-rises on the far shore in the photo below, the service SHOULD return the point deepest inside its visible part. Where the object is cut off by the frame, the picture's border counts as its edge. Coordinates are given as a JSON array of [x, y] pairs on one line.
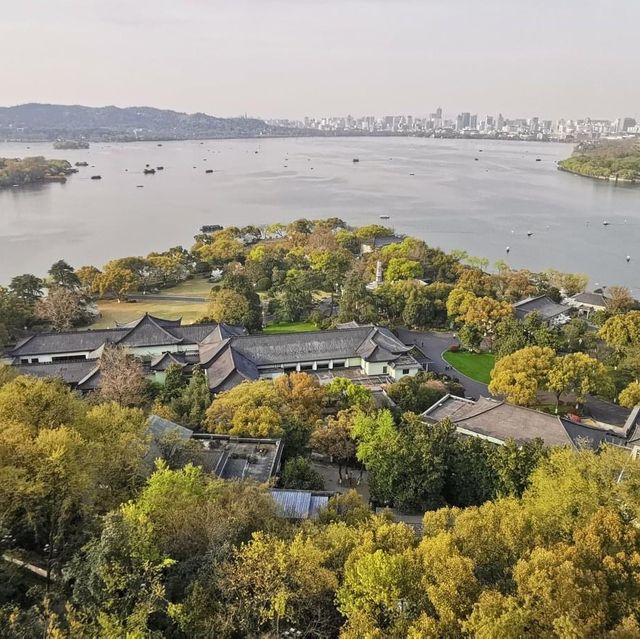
[[468, 124]]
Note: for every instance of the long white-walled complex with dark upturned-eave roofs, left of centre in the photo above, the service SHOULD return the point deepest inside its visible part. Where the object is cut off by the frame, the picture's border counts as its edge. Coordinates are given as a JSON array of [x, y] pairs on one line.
[[228, 356]]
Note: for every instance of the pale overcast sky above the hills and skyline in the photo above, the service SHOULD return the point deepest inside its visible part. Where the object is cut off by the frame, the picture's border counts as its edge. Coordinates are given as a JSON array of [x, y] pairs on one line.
[[290, 58]]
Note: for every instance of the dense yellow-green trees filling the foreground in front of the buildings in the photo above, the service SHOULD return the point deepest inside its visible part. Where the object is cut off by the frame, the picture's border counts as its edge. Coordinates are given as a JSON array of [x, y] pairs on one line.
[[516, 542]]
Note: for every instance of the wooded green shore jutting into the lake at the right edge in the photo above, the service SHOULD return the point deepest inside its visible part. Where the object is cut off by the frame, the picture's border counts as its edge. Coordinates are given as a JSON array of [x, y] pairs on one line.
[[609, 159]]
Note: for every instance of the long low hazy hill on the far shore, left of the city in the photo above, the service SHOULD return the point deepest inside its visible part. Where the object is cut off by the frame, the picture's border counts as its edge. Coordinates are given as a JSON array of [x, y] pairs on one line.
[[53, 121]]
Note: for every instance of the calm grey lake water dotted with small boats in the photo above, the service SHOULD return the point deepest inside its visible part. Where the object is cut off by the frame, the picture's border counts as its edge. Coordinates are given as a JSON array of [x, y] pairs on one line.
[[434, 189]]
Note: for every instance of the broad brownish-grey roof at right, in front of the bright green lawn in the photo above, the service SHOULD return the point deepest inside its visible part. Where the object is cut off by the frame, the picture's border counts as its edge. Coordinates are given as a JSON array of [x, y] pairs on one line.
[[498, 421]]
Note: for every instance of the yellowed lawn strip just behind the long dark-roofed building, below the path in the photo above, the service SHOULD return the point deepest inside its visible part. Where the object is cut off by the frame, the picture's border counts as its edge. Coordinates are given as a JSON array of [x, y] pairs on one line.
[[113, 313]]
